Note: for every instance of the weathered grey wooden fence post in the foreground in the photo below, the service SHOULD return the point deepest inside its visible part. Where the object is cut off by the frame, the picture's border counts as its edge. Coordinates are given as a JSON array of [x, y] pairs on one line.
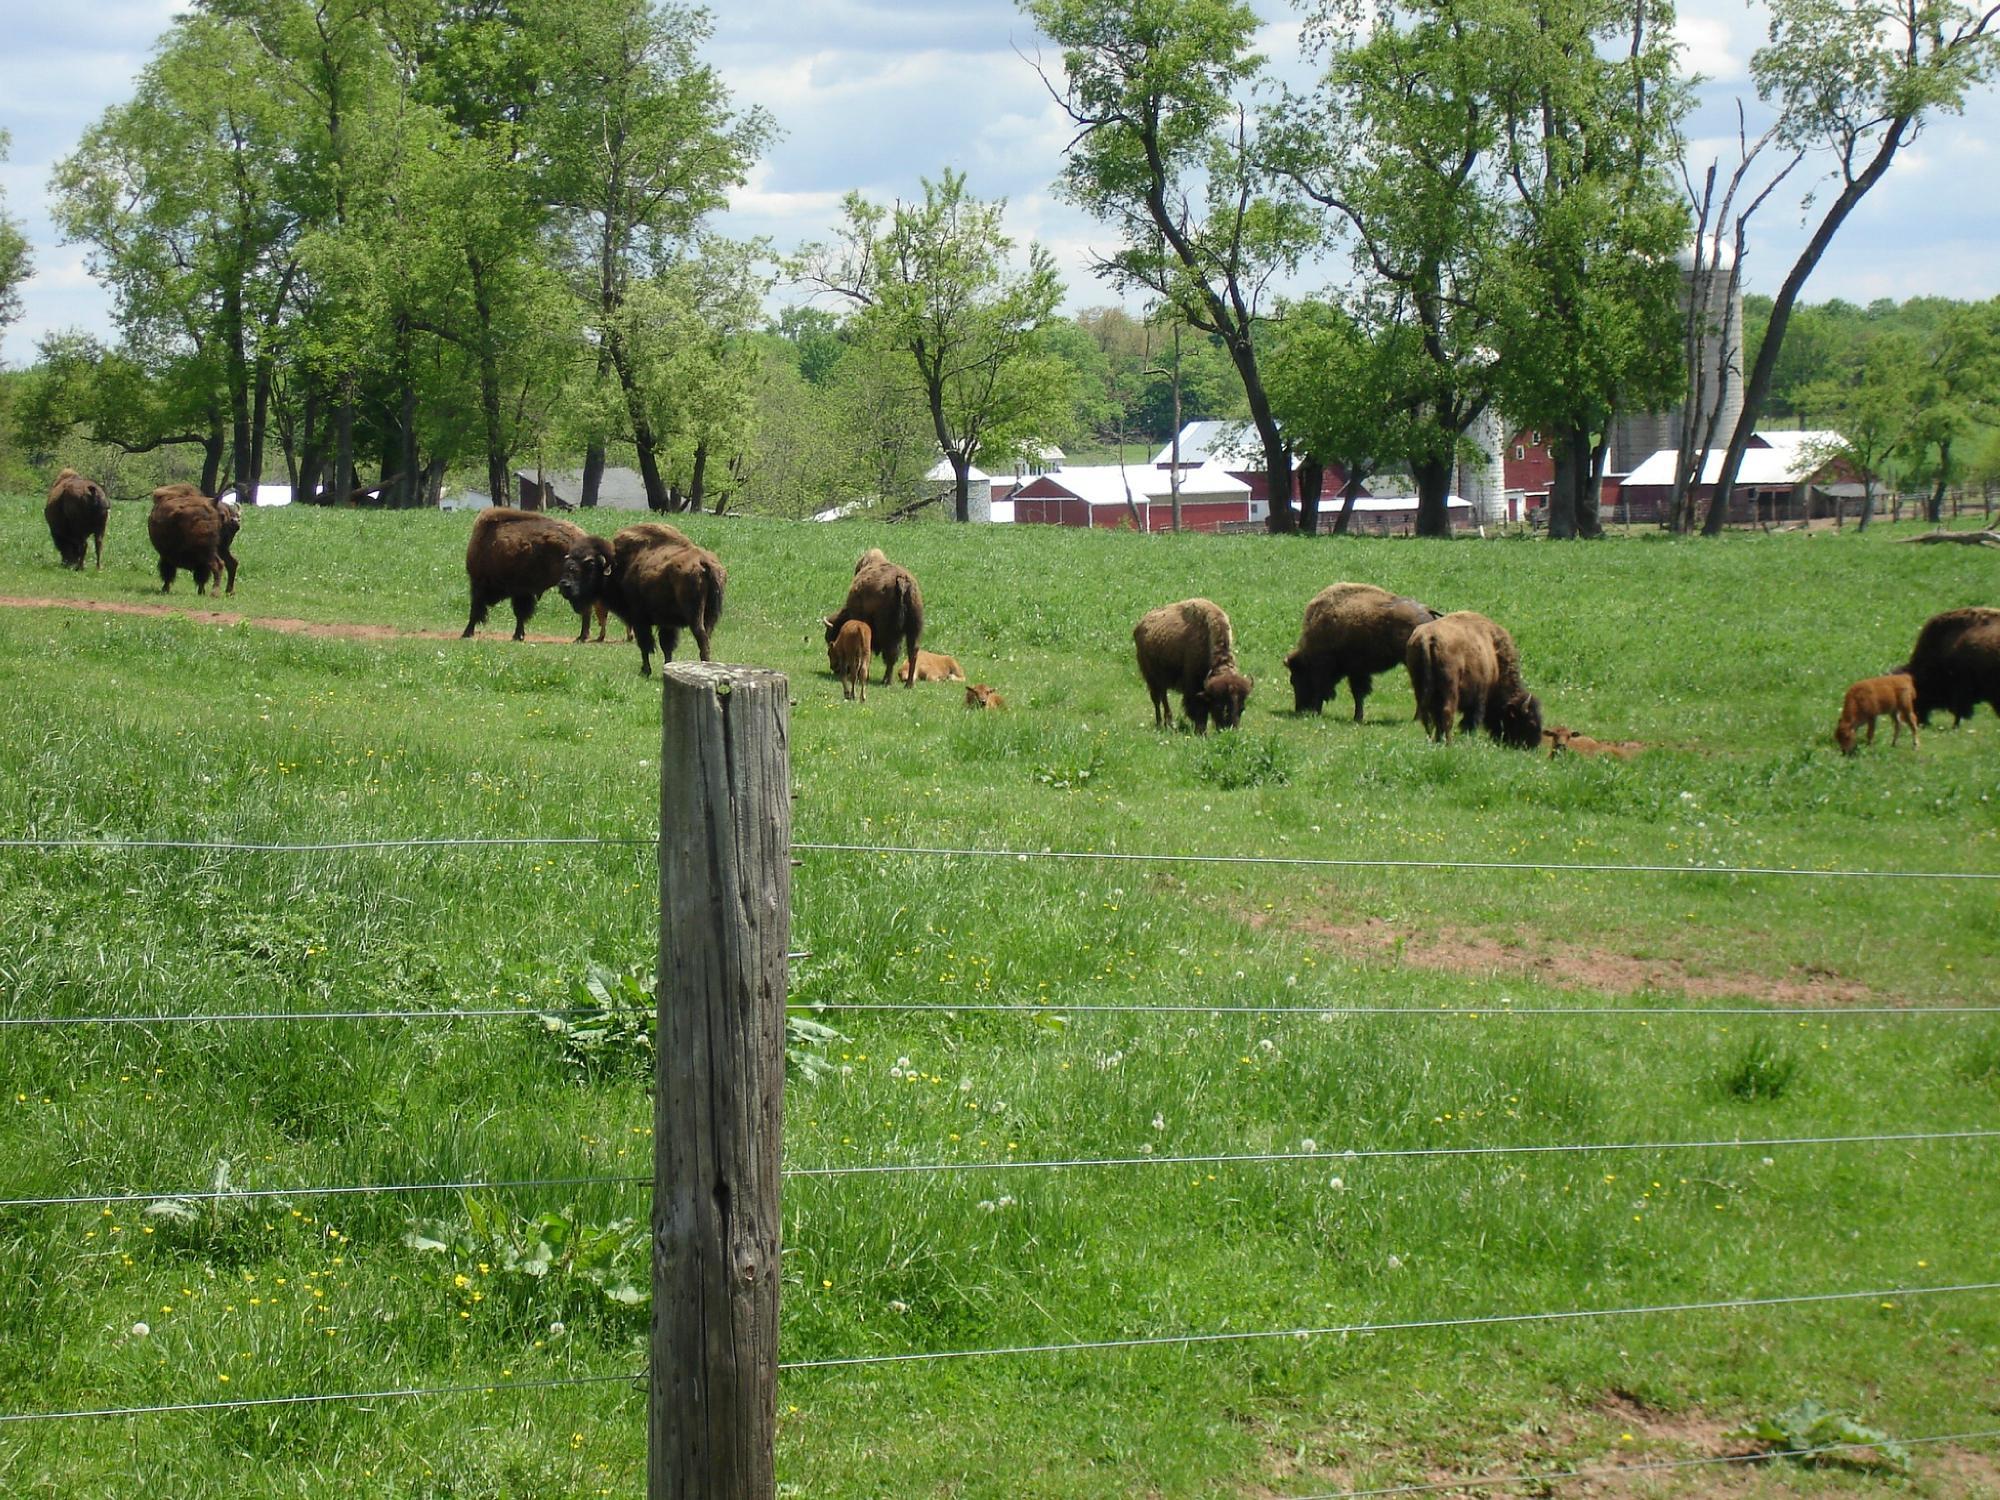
[[725, 929]]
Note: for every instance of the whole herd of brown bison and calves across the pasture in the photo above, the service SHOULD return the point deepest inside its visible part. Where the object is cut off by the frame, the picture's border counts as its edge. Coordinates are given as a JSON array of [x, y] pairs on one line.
[[1465, 669]]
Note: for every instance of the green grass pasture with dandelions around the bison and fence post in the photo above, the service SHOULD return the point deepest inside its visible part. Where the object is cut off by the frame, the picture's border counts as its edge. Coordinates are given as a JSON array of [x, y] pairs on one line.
[[1727, 657]]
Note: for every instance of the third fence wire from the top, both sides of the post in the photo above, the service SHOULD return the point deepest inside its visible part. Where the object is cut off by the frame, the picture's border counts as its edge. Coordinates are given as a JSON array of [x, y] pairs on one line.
[[1037, 1165]]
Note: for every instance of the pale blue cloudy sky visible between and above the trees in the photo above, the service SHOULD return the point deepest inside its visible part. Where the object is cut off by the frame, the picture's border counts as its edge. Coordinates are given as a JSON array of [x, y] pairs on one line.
[[877, 95]]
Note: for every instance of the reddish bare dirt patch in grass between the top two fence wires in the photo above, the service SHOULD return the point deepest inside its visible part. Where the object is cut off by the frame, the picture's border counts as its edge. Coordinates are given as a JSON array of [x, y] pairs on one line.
[[1565, 965]]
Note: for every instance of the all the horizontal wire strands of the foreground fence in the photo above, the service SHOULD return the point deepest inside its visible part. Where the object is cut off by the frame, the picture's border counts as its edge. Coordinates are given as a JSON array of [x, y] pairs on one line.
[[1169, 1341]]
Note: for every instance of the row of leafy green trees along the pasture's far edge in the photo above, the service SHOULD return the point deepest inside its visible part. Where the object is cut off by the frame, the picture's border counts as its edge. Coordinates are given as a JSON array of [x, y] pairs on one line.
[[377, 241]]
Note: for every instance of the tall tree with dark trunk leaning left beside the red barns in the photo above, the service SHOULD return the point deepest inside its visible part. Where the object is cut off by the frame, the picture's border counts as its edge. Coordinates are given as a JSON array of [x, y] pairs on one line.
[[1165, 155]]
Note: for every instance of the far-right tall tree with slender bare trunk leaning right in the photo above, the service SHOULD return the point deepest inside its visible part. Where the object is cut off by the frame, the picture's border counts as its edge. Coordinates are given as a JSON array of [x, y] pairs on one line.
[[1857, 81]]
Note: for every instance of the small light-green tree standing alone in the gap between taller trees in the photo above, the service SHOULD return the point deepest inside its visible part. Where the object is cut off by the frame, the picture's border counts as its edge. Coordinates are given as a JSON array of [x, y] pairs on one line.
[[933, 281]]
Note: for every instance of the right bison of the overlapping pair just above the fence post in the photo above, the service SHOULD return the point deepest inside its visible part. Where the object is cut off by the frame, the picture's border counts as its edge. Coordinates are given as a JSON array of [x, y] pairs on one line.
[[653, 579]]
